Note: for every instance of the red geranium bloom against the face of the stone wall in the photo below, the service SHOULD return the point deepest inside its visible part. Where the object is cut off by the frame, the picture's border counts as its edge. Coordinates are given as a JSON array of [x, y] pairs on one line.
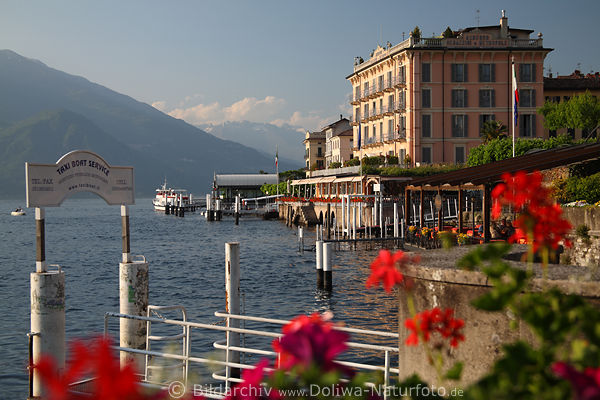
[[428, 322]]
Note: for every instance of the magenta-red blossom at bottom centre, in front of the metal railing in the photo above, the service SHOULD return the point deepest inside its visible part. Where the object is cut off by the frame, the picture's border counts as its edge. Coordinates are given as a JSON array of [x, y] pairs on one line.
[[309, 340]]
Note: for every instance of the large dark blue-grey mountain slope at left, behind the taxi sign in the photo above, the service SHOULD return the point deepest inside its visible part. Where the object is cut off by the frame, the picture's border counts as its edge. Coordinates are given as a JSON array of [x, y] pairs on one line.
[[126, 131]]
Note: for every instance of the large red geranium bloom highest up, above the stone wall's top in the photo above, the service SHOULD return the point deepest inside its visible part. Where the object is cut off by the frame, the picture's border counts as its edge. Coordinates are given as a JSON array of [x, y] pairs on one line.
[[539, 217]]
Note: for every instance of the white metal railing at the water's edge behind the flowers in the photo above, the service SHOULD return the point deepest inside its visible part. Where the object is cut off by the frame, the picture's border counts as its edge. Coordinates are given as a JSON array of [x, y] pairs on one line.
[[226, 374]]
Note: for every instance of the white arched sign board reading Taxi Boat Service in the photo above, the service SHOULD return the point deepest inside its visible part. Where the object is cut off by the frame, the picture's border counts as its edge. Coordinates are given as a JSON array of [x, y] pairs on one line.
[[48, 185]]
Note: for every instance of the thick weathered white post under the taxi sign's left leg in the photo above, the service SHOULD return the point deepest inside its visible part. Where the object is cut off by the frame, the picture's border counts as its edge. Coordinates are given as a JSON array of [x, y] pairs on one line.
[[47, 321]]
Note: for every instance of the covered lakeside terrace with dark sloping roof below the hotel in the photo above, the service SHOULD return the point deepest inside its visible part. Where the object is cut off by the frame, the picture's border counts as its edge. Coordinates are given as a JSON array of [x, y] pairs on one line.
[[467, 185]]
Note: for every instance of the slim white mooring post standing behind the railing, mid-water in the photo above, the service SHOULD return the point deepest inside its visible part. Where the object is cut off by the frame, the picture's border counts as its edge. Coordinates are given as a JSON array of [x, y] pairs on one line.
[[232, 306]]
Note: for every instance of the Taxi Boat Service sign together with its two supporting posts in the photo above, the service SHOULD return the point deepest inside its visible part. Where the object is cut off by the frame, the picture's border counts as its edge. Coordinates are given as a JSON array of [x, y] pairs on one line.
[[48, 185]]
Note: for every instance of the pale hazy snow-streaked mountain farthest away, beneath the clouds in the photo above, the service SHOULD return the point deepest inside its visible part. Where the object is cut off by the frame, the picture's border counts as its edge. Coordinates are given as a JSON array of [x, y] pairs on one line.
[[263, 137]]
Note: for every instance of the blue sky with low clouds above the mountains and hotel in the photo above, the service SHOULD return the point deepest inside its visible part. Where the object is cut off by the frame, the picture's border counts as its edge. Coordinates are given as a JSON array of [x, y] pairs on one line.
[[263, 61]]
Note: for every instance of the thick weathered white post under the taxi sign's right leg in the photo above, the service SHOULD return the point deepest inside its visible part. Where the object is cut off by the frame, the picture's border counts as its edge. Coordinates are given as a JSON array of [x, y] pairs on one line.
[[133, 300]]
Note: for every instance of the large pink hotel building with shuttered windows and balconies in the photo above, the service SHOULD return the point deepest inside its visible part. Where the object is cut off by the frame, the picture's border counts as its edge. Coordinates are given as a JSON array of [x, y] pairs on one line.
[[425, 99]]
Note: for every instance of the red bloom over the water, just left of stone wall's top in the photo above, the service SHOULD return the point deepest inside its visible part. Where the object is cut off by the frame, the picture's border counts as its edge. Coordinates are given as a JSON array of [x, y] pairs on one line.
[[386, 269]]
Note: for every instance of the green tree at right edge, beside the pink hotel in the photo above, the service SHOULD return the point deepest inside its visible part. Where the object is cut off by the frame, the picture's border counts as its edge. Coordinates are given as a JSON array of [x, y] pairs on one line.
[[580, 112]]
